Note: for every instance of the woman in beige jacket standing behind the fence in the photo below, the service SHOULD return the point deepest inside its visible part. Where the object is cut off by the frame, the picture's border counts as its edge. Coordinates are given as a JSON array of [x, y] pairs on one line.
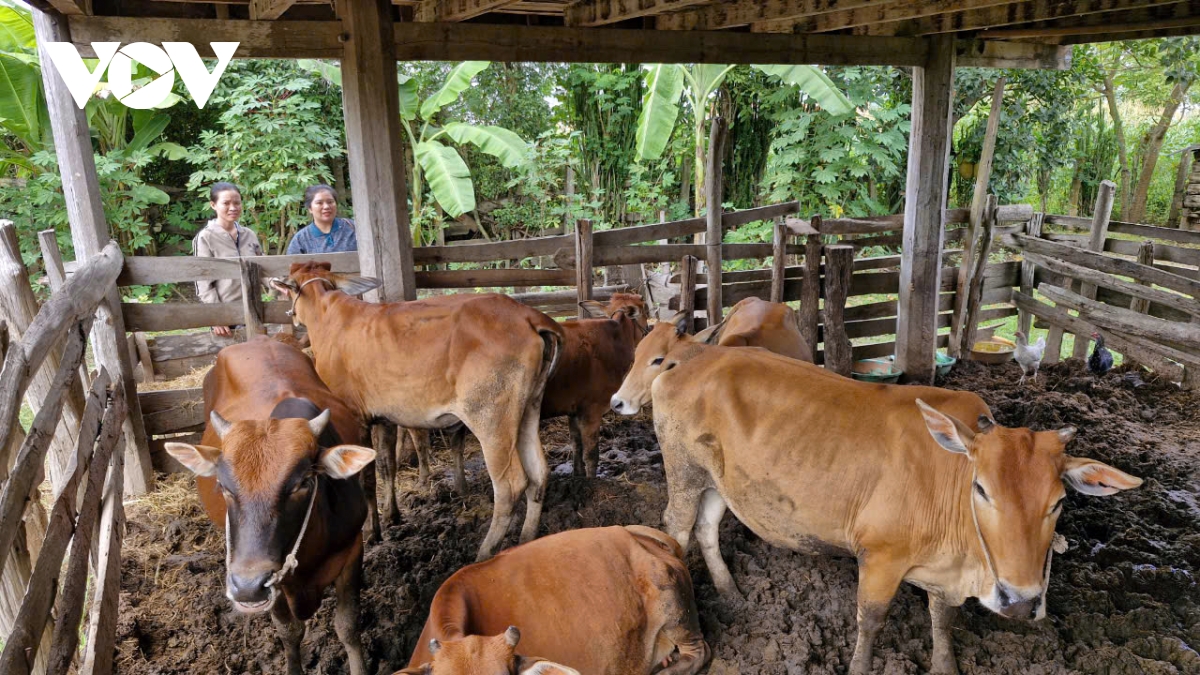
[[224, 238]]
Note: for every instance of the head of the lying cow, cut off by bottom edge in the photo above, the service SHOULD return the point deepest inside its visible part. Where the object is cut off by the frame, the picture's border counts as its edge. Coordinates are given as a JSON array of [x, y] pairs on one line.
[[485, 656]]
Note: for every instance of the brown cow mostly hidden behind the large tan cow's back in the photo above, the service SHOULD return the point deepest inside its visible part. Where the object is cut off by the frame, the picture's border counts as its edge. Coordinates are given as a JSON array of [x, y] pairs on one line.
[[755, 322]]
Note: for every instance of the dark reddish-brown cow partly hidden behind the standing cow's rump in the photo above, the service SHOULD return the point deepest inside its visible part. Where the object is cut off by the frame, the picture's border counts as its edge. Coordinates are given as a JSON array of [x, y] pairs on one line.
[[597, 354]]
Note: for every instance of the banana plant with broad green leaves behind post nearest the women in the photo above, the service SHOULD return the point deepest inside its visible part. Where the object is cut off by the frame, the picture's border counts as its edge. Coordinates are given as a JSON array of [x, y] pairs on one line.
[[436, 164]]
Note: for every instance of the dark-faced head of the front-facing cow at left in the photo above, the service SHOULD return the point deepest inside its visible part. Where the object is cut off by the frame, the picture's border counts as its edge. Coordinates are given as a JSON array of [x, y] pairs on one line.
[[269, 474]]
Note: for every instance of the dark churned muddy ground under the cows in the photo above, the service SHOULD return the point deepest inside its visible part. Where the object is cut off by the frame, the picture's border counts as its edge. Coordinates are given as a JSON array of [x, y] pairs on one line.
[[1124, 599]]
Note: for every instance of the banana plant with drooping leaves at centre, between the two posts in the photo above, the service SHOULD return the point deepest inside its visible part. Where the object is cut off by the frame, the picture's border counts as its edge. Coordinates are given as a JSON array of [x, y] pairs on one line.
[[665, 83]]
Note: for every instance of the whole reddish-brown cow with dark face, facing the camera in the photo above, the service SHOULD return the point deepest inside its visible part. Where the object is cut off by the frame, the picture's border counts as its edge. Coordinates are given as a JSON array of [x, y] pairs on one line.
[[273, 474]]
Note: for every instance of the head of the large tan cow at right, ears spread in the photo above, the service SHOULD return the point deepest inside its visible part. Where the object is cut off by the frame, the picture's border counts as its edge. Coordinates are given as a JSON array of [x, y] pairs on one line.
[[1017, 494]]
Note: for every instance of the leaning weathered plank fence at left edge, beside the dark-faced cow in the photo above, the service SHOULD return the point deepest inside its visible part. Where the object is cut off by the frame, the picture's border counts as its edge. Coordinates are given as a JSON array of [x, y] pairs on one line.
[[86, 515]]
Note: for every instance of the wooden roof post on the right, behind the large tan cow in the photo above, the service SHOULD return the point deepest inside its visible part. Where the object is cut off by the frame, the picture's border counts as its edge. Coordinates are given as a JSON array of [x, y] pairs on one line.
[[921, 261]]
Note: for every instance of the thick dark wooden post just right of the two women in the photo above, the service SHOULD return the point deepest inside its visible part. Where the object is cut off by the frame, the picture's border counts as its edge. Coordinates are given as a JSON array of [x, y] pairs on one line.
[[371, 100]]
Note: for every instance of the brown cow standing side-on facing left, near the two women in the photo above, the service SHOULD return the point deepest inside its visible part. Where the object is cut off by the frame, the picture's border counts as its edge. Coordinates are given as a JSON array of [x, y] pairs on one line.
[[481, 361]]
